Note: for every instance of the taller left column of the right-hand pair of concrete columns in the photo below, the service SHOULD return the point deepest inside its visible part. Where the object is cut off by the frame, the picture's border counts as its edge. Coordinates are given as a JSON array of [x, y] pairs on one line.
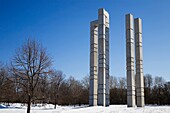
[[130, 60]]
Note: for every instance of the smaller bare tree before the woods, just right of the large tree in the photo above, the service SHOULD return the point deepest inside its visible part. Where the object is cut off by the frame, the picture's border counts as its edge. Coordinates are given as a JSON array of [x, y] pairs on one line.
[[56, 79]]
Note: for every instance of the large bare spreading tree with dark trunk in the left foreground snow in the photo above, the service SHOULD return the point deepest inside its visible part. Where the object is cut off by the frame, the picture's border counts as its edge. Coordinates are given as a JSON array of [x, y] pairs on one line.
[[28, 65]]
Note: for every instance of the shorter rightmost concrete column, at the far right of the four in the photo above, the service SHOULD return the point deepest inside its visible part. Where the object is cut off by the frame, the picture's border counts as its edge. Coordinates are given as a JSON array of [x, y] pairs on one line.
[[139, 63]]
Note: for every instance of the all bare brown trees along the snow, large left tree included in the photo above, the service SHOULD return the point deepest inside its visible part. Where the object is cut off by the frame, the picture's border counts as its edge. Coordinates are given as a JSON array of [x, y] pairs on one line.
[[30, 78]]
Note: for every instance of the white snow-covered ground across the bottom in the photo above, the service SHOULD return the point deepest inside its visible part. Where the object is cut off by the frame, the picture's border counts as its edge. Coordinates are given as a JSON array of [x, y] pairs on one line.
[[18, 108]]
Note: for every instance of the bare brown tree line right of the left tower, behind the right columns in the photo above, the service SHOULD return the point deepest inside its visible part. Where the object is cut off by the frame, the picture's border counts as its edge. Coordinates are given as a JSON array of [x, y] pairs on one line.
[[156, 90]]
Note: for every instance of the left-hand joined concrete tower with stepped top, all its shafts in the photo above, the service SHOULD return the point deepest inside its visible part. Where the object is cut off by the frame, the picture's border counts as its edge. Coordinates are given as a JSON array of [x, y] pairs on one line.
[[99, 60]]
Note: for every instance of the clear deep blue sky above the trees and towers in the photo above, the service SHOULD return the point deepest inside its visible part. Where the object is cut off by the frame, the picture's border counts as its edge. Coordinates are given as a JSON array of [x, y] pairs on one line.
[[63, 27]]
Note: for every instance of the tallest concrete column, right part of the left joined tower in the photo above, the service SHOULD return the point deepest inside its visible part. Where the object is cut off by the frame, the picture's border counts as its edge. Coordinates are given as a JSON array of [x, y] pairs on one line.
[[103, 60]]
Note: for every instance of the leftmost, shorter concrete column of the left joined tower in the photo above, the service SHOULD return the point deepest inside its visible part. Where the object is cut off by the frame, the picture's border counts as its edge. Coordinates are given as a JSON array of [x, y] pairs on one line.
[[93, 63]]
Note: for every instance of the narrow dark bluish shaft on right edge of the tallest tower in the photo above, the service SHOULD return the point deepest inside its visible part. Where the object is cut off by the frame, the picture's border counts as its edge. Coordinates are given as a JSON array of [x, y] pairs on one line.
[[107, 61]]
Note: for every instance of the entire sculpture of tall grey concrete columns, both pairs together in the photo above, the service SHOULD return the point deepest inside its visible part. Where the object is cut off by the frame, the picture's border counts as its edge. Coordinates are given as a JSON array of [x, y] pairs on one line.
[[99, 61]]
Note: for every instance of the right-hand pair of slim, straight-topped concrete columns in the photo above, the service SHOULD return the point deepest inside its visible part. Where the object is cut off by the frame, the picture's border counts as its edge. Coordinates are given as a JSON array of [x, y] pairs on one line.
[[134, 82]]
